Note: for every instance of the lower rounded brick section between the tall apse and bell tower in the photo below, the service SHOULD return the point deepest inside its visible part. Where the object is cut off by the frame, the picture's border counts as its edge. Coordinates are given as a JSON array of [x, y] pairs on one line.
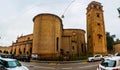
[[73, 42]]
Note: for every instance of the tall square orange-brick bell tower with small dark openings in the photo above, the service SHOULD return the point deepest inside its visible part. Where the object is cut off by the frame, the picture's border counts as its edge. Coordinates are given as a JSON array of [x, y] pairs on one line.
[[96, 37]]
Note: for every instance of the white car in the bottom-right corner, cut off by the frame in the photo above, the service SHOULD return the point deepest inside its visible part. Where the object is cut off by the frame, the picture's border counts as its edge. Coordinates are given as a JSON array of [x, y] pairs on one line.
[[110, 63]]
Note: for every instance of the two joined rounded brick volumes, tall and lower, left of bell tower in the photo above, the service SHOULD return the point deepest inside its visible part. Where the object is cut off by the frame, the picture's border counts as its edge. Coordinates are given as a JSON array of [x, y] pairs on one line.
[[49, 37]]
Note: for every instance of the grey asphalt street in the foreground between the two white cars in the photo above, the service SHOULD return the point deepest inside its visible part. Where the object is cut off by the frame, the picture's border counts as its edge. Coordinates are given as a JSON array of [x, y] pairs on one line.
[[61, 66]]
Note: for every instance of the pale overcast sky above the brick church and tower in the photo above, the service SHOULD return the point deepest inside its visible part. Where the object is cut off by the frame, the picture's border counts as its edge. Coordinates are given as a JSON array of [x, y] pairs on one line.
[[16, 16]]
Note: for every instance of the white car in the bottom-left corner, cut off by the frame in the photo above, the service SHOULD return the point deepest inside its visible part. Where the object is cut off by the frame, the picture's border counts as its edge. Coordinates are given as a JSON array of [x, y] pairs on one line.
[[11, 64]]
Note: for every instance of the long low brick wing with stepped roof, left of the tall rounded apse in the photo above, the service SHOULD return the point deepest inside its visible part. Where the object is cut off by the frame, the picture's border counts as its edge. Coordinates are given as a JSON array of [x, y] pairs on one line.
[[23, 45]]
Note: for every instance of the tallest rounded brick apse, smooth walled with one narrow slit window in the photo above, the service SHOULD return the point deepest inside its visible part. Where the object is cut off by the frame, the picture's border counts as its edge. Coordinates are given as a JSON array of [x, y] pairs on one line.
[[47, 35]]
